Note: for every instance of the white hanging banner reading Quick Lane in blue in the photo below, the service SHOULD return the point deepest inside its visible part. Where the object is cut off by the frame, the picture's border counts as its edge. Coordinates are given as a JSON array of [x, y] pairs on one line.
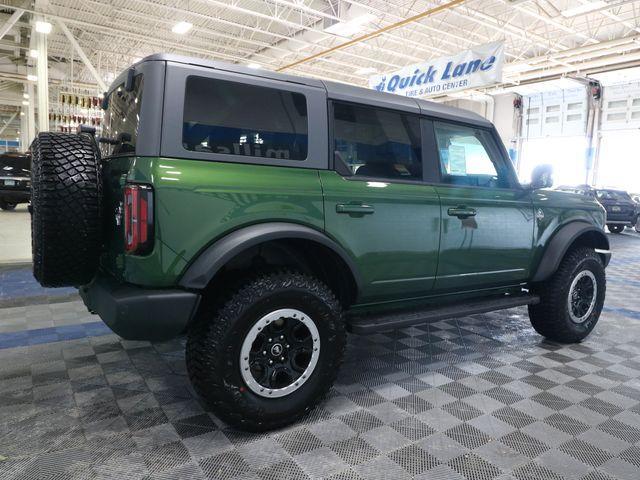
[[478, 67]]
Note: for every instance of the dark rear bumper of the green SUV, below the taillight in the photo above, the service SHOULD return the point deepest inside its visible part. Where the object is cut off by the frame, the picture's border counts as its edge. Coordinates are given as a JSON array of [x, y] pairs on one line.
[[137, 313]]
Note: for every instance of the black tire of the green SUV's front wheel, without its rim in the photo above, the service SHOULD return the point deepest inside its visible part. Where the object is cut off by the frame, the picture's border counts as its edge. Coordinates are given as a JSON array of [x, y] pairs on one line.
[[550, 317]]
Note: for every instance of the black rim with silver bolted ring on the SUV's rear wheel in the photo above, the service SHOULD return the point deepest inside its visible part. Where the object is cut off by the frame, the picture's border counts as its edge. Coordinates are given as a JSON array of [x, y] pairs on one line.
[[279, 353]]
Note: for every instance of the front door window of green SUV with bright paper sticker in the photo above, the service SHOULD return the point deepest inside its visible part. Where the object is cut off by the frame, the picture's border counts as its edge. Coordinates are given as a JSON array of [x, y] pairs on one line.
[[465, 157]]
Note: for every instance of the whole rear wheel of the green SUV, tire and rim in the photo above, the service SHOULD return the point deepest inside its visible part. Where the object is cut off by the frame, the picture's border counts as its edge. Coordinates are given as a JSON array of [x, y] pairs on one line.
[[270, 353]]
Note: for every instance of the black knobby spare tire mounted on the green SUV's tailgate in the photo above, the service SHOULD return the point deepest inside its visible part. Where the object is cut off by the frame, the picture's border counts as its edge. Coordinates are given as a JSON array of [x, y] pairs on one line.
[[66, 199]]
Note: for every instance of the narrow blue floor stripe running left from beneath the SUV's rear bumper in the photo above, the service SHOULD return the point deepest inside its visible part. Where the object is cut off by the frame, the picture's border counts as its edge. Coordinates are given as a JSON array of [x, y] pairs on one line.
[[38, 336]]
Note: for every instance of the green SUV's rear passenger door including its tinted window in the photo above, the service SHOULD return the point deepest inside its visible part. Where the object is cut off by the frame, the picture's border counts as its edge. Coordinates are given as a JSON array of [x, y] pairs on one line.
[[377, 204]]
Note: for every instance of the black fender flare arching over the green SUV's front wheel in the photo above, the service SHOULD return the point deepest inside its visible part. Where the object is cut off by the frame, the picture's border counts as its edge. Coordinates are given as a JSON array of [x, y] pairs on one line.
[[562, 240]]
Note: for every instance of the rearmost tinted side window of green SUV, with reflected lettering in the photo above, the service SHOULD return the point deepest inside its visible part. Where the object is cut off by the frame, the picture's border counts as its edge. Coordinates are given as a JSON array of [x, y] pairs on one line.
[[245, 120]]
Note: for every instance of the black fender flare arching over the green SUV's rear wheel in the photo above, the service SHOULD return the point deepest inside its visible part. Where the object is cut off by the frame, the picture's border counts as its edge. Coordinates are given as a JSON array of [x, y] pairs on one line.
[[215, 256]]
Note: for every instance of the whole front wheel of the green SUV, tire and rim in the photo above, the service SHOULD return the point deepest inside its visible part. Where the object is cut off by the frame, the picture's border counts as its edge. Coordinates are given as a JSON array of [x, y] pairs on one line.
[[572, 299]]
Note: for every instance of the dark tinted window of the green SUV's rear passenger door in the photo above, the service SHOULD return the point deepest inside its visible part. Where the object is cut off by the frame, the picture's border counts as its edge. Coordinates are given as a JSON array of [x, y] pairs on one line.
[[377, 143]]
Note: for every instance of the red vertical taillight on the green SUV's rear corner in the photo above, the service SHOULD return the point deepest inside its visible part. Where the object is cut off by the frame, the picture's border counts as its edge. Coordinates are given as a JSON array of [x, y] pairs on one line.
[[138, 218]]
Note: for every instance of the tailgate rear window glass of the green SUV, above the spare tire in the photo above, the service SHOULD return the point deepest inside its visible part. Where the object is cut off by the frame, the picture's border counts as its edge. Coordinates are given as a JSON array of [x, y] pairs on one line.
[[121, 119]]
